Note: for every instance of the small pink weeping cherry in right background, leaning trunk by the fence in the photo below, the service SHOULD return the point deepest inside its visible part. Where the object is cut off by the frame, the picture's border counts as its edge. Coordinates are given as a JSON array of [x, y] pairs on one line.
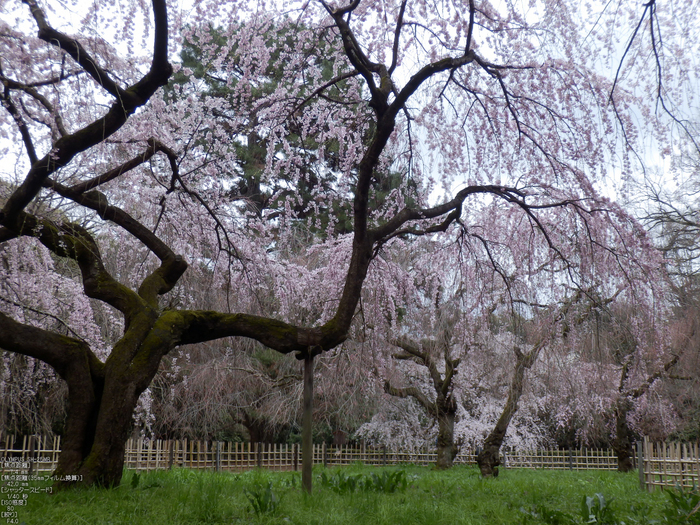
[[600, 382]]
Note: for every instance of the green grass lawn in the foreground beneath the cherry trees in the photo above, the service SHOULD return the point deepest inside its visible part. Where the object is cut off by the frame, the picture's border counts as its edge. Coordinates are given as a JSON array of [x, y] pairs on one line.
[[457, 496]]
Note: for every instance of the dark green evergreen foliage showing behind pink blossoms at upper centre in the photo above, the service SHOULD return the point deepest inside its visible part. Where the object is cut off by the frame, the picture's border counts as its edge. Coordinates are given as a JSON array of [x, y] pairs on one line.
[[249, 186]]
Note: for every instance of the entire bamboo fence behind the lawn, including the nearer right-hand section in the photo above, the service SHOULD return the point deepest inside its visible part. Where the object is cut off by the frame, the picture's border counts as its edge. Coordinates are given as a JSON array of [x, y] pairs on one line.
[[661, 465]]
